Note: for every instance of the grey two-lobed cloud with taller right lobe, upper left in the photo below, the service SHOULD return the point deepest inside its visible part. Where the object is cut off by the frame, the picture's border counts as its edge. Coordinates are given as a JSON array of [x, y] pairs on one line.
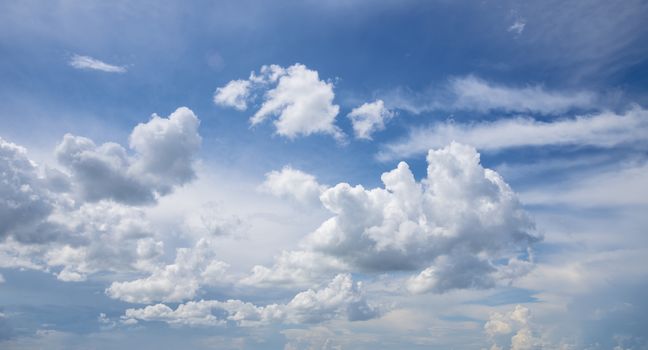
[[164, 149]]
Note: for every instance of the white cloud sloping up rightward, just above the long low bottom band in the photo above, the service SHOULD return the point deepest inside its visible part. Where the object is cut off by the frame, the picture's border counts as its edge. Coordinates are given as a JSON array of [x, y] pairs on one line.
[[193, 268]]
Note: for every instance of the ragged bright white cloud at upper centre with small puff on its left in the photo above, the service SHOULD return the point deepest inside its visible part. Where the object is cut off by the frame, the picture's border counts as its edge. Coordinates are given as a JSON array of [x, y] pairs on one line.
[[300, 101]]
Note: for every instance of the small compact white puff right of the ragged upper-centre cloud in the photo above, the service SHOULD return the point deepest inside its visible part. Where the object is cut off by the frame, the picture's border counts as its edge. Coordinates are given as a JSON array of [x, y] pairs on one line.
[[369, 118]]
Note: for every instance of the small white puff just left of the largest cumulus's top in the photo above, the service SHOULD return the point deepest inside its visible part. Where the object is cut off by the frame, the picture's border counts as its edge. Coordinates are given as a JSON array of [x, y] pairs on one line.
[[293, 183]]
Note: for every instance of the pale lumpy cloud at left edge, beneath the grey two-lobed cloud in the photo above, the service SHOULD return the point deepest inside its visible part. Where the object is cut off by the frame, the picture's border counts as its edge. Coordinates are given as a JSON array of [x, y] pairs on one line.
[[104, 236]]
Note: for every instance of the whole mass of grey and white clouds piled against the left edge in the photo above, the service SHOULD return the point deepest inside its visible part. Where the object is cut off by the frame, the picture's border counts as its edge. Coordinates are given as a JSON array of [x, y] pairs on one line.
[[83, 222]]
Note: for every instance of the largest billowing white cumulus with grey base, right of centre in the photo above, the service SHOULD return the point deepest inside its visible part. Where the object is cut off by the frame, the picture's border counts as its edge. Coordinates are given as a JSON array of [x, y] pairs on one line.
[[462, 225]]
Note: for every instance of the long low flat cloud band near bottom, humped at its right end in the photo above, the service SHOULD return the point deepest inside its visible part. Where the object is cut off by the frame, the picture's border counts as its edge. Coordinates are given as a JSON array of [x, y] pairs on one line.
[[342, 297]]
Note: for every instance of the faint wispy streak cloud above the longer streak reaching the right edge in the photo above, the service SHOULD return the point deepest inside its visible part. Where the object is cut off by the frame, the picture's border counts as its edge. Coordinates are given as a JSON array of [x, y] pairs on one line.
[[470, 93]]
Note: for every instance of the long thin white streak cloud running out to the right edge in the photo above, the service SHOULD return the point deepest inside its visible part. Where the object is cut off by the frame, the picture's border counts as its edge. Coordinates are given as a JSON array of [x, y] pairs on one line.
[[605, 129]]
